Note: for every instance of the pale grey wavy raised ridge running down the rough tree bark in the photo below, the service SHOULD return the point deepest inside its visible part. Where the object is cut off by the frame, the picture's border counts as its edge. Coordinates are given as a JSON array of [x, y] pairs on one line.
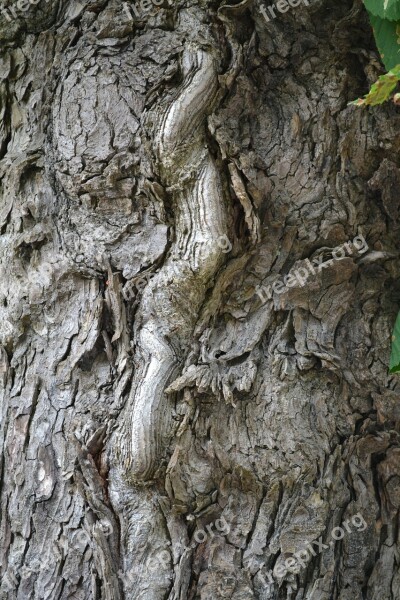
[[171, 302]]
